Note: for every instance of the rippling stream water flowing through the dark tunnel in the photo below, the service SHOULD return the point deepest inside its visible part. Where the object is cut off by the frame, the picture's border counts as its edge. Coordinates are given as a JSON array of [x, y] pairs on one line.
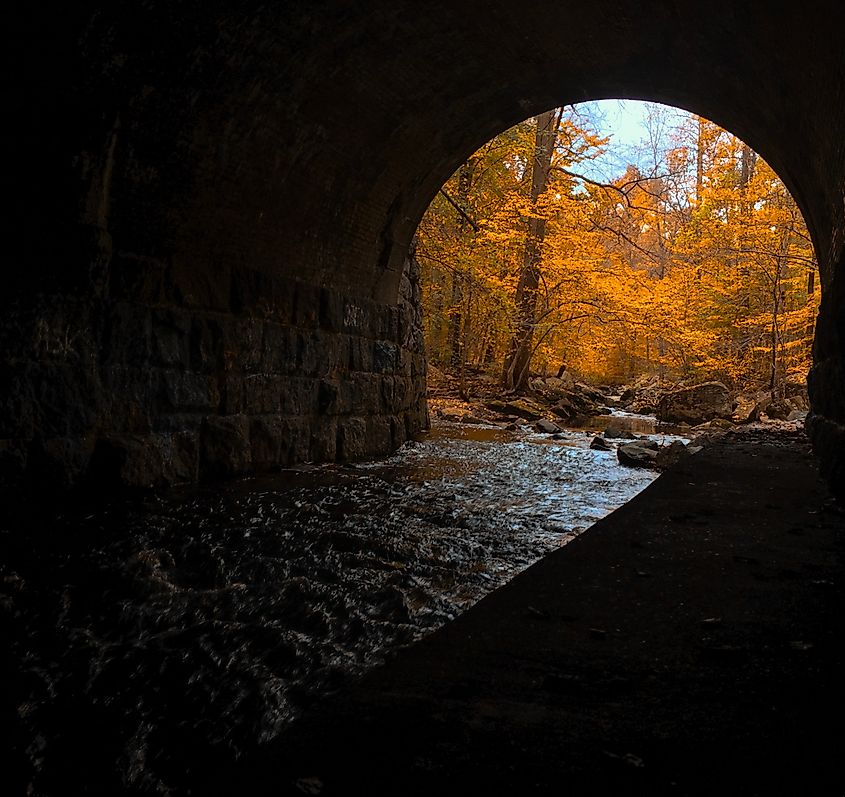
[[197, 623]]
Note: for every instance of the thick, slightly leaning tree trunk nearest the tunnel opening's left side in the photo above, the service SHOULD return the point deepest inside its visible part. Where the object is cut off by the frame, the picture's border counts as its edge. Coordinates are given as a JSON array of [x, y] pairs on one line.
[[518, 361]]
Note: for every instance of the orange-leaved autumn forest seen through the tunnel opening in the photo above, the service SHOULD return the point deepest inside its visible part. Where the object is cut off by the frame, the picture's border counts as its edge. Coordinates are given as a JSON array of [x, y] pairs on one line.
[[692, 265]]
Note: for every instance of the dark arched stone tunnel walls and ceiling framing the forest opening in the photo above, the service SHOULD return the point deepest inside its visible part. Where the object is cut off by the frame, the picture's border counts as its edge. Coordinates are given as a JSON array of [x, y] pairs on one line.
[[211, 272]]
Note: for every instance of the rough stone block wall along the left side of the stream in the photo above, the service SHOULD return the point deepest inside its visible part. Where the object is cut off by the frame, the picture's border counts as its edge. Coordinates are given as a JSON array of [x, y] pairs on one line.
[[159, 377]]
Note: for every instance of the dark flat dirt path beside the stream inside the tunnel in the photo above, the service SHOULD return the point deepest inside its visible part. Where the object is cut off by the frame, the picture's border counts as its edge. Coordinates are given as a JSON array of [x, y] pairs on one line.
[[689, 644]]
